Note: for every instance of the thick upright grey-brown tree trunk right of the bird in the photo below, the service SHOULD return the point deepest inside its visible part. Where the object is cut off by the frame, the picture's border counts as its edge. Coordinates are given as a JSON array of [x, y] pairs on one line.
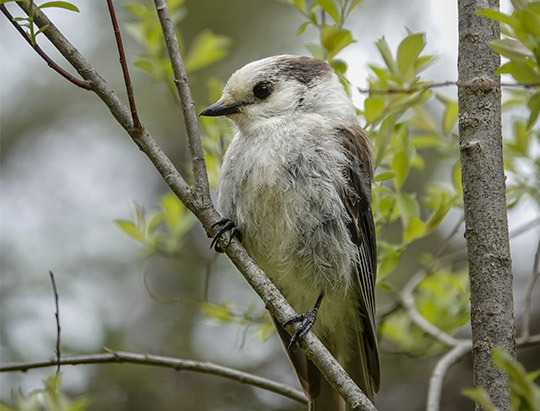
[[490, 269]]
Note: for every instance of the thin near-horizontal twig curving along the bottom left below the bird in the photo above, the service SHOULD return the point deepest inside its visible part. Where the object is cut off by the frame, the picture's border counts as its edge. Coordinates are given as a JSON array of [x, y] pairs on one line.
[[177, 364]]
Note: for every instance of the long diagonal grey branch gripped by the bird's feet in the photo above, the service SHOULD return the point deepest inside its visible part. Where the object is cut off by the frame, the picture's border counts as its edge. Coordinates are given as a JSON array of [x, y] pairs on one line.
[[205, 212]]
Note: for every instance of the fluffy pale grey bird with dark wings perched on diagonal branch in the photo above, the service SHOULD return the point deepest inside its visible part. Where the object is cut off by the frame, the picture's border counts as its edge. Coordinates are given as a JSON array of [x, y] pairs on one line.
[[295, 188]]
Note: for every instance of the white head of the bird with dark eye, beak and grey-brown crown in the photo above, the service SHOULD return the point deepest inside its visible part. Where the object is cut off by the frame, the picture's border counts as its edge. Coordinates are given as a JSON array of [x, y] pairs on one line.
[[279, 87]]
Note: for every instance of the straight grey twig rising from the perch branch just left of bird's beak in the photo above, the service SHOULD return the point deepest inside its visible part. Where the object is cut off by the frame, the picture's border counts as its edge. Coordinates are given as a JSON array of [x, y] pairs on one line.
[[188, 106]]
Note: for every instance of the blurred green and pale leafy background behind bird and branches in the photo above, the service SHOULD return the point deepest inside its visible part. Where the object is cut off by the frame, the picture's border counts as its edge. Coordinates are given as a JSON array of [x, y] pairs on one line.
[[176, 297]]
